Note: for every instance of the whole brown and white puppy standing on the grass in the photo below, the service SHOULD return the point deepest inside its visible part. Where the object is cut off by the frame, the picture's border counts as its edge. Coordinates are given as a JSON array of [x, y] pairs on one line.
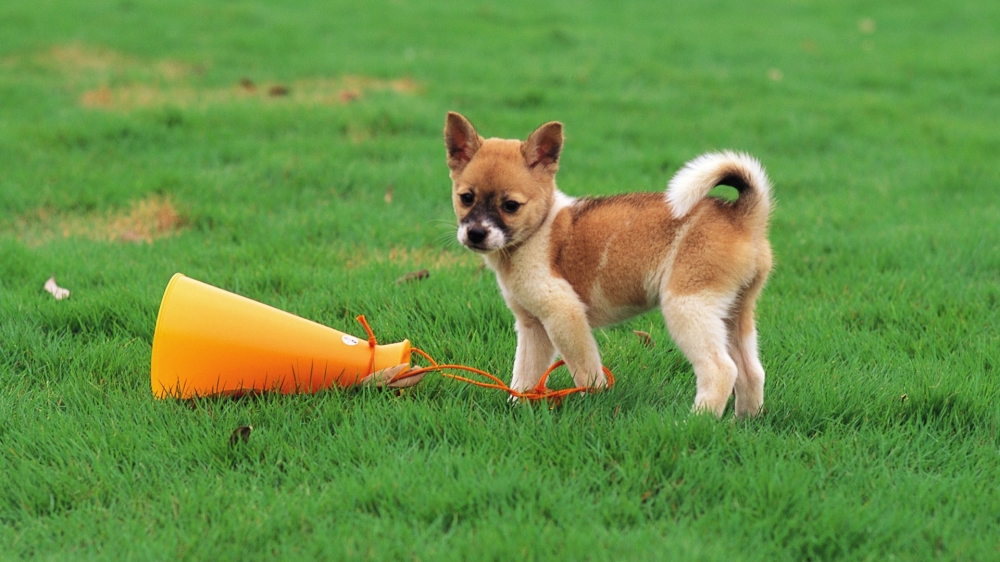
[[568, 265]]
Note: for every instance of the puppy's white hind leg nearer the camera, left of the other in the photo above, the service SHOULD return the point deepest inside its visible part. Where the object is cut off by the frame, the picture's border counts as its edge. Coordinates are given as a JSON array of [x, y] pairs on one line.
[[697, 324]]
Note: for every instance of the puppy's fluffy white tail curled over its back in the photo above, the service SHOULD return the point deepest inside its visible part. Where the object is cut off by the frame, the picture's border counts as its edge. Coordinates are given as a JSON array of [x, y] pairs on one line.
[[693, 182]]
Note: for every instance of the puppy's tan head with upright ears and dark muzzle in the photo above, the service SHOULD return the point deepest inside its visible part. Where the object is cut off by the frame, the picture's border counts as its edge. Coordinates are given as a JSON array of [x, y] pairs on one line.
[[502, 190]]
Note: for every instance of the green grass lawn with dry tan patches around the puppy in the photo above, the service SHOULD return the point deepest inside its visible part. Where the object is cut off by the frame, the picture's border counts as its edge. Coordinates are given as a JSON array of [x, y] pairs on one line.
[[878, 327]]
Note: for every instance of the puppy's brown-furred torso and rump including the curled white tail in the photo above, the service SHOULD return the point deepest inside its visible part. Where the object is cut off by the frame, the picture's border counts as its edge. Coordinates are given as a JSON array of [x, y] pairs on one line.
[[621, 252]]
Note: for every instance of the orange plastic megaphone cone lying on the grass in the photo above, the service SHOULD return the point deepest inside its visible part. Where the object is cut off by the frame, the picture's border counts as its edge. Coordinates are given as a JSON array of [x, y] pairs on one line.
[[209, 341]]
